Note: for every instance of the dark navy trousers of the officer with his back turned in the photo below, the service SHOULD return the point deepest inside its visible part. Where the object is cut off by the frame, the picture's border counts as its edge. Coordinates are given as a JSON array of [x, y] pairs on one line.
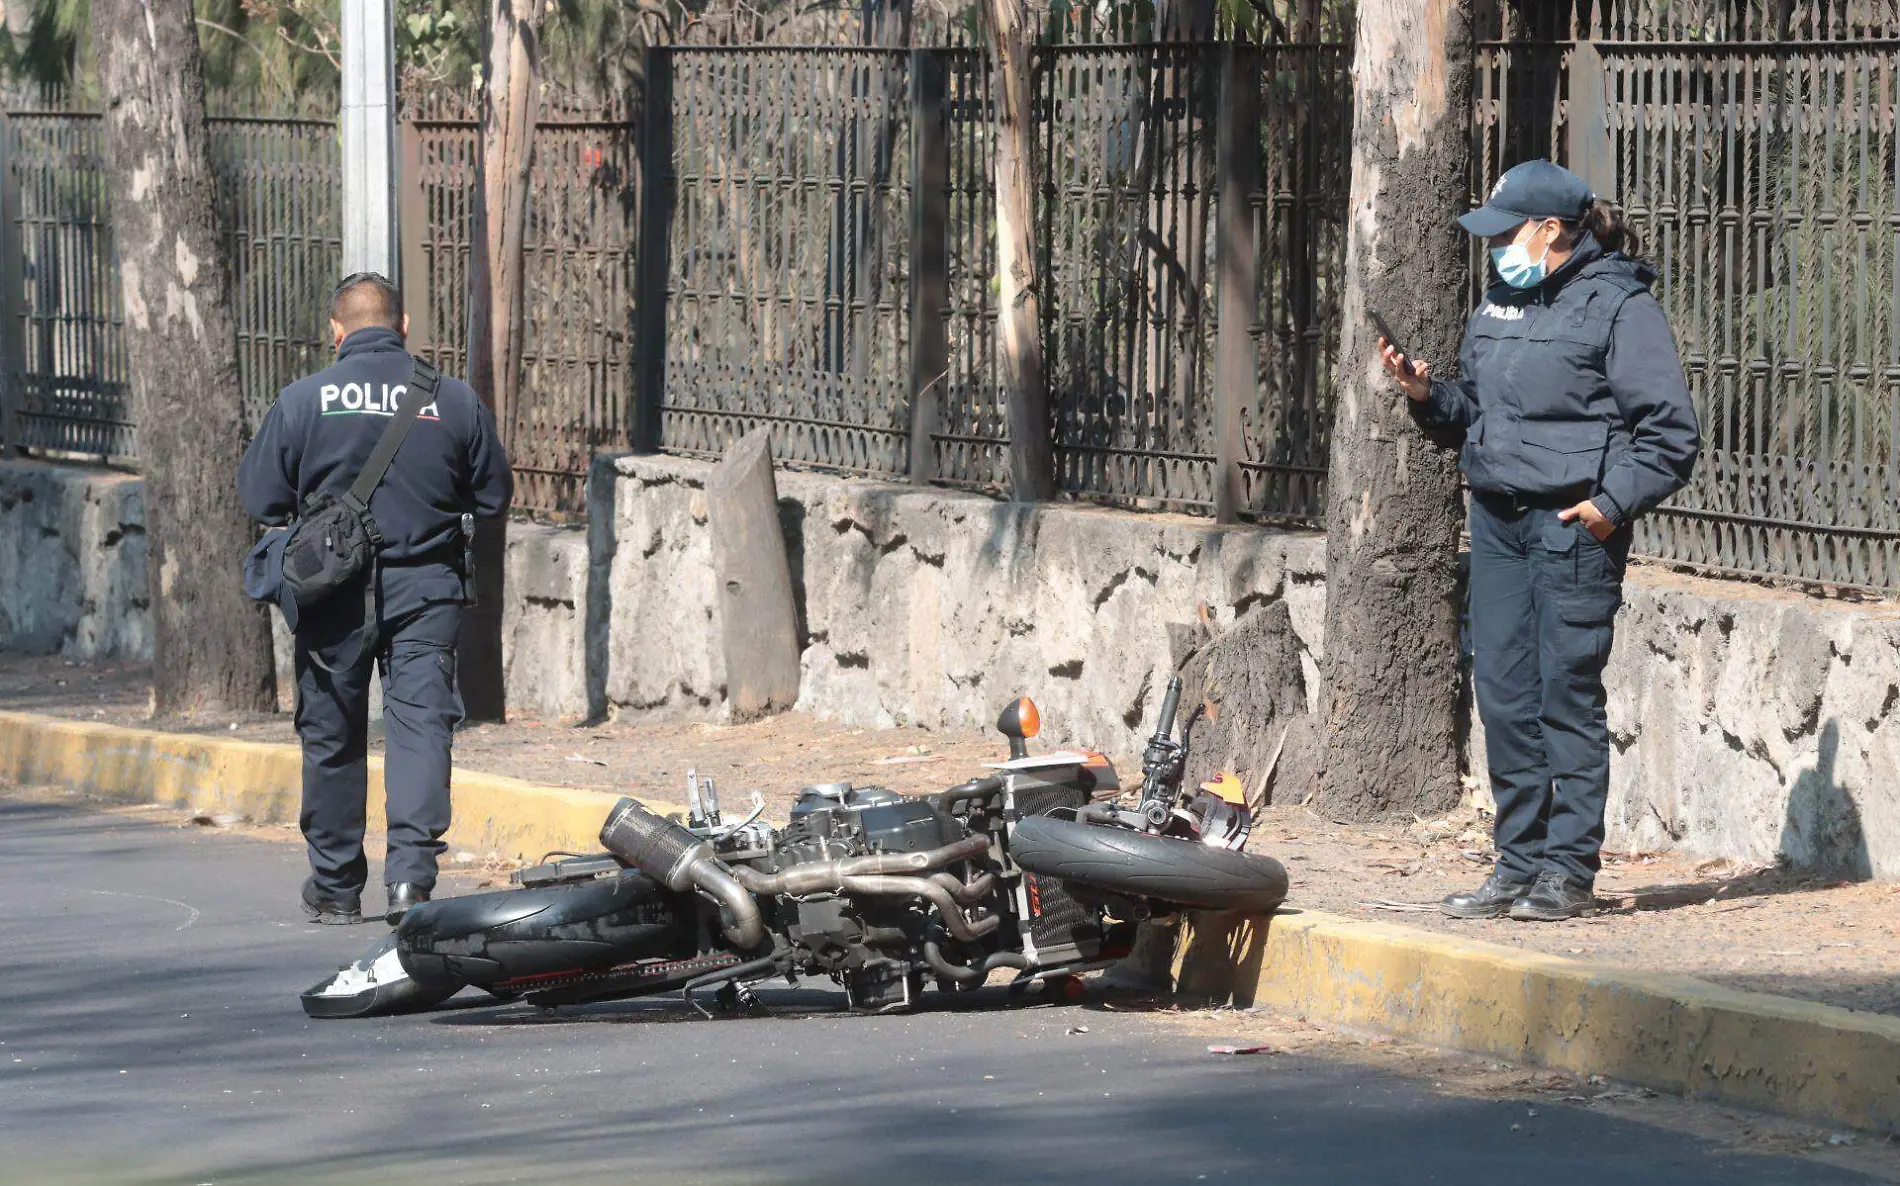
[[421, 710]]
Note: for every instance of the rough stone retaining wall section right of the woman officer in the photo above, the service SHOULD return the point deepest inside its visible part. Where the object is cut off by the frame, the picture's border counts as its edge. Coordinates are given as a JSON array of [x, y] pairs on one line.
[[1753, 723]]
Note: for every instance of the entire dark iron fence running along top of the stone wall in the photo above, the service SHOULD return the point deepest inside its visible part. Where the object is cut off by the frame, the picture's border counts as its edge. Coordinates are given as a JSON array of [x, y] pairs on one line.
[[803, 239]]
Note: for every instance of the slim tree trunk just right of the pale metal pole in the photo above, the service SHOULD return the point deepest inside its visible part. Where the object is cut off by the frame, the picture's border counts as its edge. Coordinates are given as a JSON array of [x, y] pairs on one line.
[[499, 307]]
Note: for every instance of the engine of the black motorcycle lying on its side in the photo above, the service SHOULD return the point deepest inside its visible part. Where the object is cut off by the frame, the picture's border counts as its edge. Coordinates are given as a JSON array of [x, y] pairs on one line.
[[865, 944]]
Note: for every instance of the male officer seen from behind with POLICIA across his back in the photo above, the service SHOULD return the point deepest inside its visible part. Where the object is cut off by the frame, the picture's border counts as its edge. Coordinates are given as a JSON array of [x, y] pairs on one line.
[[451, 465]]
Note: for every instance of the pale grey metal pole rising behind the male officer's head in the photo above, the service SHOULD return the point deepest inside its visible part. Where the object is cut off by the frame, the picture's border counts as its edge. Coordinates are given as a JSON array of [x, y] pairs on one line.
[[370, 138]]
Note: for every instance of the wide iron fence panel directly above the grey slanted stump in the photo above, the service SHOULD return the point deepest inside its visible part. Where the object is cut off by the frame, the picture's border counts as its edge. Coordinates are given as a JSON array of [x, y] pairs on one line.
[[786, 208]]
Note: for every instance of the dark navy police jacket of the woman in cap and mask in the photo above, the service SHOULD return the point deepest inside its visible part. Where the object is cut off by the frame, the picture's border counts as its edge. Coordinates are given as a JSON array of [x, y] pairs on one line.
[[1570, 391]]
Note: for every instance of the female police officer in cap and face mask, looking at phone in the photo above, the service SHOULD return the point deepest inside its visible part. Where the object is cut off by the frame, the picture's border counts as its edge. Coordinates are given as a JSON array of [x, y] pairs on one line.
[[1574, 419]]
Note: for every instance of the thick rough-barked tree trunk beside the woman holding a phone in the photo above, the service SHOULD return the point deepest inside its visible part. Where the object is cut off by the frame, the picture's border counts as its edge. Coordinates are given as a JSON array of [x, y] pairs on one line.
[[1394, 508]]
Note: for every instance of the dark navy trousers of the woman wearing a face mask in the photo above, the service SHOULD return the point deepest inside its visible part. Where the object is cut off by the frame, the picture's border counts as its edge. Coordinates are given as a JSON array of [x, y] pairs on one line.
[[1544, 596]]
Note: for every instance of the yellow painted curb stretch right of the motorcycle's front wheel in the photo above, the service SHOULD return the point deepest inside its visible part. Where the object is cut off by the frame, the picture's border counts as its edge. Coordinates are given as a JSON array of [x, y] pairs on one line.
[[1669, 1033]]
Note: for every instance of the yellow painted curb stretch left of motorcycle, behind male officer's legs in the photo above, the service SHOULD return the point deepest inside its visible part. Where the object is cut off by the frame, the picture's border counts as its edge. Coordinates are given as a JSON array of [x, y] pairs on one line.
[[263, 782]]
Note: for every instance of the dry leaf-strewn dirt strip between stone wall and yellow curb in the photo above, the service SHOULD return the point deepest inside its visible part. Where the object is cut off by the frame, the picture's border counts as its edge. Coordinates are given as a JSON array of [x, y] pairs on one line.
[[1760, 928]]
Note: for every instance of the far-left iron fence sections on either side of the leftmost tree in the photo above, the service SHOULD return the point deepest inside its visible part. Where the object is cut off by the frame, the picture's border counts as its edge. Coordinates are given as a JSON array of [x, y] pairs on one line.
[[62, 303]]
